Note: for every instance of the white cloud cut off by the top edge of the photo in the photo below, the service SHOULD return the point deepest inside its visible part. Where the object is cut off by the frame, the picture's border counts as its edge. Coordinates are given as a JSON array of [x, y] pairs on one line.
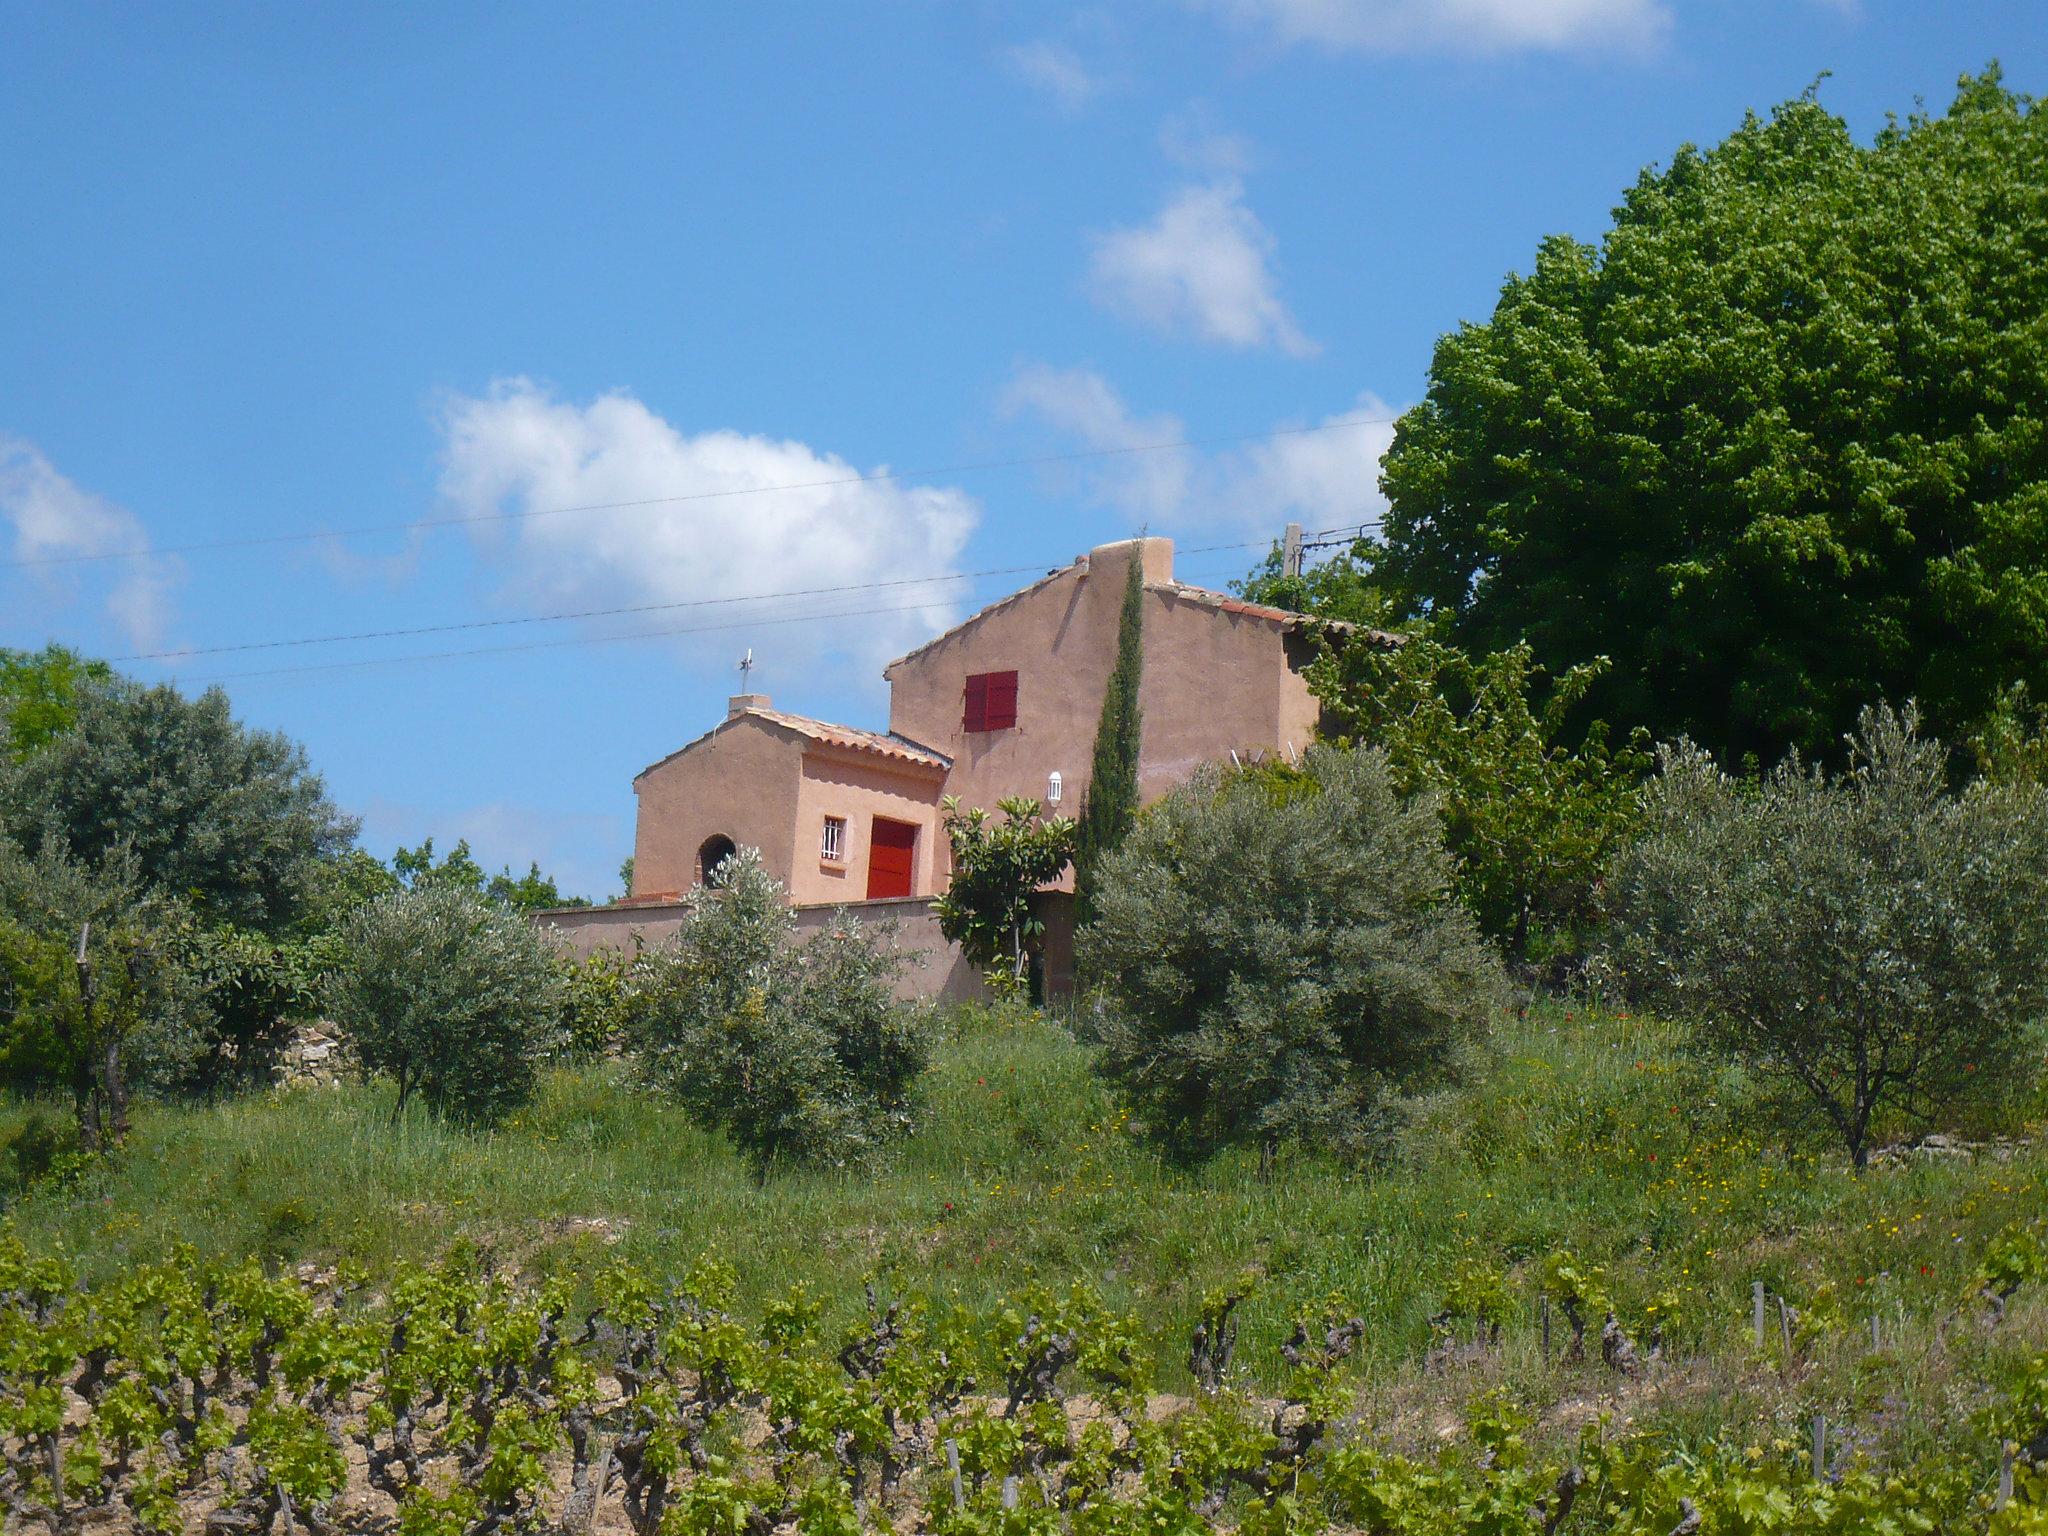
[[1459, 26]]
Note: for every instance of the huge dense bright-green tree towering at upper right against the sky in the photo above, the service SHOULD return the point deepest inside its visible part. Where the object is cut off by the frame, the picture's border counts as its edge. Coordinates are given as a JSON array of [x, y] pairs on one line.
[[1779, 445]]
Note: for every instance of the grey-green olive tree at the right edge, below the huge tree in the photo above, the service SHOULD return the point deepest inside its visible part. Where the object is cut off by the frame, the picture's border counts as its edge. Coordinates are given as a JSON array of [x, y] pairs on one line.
[[1871, 941]]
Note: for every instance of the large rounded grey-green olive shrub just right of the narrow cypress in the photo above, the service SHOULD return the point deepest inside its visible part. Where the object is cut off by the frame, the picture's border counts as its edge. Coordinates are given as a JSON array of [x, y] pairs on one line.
[[1273, 953]]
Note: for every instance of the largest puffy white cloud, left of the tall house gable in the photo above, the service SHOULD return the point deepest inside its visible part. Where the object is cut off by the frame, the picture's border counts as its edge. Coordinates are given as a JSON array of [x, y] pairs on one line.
[[716, 529]]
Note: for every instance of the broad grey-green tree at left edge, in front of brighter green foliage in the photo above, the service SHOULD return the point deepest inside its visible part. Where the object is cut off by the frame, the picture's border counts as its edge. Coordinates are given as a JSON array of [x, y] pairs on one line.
[[214, 814]]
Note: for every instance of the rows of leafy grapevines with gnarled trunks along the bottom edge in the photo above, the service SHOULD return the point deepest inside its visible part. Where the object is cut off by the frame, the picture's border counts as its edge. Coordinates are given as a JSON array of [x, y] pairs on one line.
[[462, 1400]]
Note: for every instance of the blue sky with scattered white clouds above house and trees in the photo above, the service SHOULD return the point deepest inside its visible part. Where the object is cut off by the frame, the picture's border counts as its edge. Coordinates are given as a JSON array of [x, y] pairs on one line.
[[388, 273]]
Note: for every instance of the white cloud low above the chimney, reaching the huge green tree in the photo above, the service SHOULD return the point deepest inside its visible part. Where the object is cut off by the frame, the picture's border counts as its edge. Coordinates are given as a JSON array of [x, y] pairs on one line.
[[1322, 474]]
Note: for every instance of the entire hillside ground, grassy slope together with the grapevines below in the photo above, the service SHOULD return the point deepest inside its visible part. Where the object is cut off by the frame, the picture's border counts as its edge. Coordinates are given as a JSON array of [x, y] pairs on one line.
[[1537, 1316]]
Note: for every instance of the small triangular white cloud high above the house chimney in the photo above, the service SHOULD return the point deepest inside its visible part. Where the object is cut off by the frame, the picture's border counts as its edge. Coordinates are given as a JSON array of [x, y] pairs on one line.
[[1205, 267]]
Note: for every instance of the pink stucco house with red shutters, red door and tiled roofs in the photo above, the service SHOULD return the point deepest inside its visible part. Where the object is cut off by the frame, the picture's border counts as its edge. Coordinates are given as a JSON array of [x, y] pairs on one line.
[[1005, 703]]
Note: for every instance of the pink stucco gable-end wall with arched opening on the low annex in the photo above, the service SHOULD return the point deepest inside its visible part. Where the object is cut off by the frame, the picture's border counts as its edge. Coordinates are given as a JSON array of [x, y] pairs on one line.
[[740, 781]]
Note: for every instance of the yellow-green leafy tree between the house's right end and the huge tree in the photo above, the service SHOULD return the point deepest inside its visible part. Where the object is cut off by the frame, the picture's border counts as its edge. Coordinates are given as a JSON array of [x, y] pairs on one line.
[[1533, 810]]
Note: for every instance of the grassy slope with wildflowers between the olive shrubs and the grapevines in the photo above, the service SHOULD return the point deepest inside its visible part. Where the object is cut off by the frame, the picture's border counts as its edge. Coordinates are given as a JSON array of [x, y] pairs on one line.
[[1576, 1129]]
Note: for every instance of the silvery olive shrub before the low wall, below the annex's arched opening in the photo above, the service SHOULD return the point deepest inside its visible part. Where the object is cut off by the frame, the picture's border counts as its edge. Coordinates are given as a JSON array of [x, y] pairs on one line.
[[796, 1050]]
